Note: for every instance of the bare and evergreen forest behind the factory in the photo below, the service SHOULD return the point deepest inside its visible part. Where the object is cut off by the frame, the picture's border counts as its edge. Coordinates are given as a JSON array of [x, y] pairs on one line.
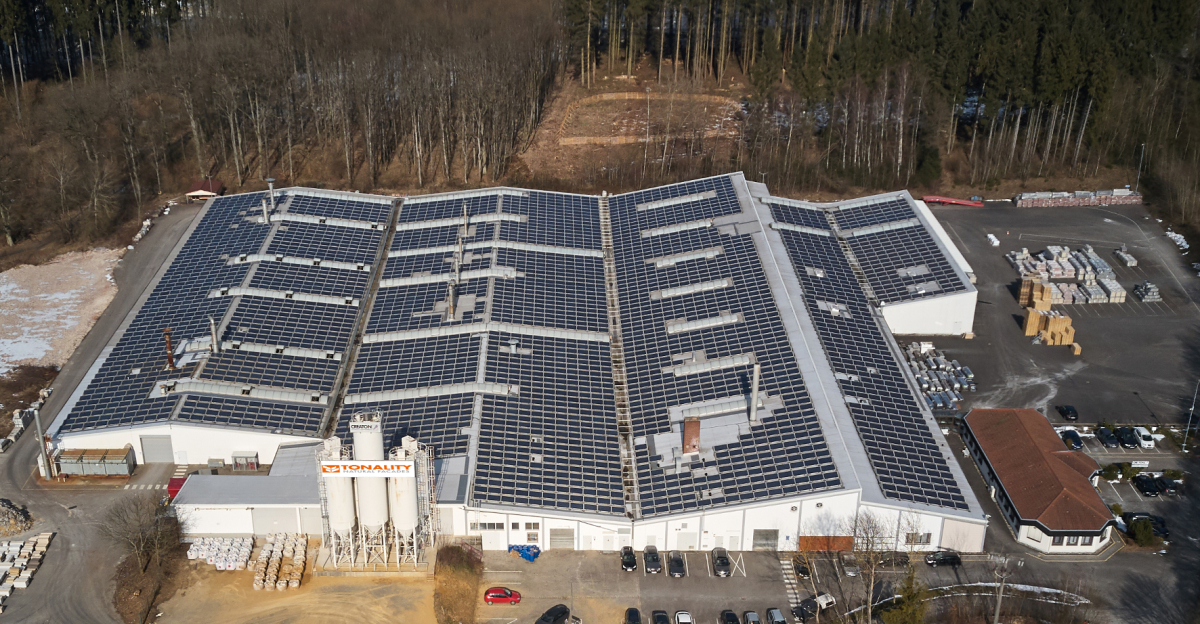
[[110, 104]]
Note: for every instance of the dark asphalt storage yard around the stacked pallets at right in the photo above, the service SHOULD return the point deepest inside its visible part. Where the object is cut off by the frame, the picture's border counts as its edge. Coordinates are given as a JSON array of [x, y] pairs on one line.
[[1138, 362]]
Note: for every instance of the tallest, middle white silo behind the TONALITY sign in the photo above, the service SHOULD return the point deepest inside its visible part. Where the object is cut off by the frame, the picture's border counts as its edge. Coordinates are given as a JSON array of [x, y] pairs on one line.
[[373, 491]]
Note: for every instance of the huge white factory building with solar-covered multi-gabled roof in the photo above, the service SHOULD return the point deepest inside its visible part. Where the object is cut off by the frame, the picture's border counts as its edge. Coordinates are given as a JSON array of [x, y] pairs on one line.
[[691, 367]]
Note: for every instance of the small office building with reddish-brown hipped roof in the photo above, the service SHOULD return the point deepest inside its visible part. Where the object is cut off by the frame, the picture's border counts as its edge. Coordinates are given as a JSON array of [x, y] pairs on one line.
[[1046, 493]]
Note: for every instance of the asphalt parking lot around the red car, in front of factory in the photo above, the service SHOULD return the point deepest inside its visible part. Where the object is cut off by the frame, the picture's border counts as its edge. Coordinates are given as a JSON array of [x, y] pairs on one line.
[[597, 590]]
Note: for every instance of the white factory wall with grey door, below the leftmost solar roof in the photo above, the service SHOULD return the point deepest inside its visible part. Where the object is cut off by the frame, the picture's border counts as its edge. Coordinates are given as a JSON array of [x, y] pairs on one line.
[[193, 445]]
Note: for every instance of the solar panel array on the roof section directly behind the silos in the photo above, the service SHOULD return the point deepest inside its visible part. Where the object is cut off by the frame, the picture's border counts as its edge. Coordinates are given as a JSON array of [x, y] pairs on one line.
[[553, 445]]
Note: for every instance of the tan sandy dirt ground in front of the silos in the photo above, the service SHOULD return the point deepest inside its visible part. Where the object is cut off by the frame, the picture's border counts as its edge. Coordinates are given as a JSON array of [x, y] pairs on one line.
[[208, 596]]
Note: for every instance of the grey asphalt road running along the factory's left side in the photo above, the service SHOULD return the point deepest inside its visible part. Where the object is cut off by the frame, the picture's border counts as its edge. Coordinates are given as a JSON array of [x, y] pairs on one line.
[[75, 584]]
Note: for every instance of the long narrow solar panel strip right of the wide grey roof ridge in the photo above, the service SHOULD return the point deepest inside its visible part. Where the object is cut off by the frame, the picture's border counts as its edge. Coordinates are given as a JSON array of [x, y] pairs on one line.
[[908, 463]]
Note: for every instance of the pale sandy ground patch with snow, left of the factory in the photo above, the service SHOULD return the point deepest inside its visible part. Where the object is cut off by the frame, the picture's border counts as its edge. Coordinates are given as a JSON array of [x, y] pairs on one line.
[[47, 310]]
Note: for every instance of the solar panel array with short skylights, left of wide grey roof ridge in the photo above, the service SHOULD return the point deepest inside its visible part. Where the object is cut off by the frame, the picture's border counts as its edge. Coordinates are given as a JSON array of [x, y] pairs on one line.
[[787, 454]]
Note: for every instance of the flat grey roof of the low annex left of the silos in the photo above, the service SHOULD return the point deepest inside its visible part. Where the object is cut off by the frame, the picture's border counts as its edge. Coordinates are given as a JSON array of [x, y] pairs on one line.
[[218, 490]]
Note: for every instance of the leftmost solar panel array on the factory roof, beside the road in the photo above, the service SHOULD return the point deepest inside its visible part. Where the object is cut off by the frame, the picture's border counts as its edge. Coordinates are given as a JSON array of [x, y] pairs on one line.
[[121, 392]]
